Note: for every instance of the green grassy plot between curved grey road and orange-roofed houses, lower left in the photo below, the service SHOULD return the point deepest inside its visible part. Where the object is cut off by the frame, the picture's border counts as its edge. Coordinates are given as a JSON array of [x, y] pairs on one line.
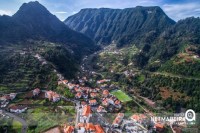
[[42, 118]]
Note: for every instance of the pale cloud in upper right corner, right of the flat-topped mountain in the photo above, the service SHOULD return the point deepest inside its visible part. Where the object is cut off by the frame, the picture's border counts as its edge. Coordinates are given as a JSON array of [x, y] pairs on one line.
[[181, 11]]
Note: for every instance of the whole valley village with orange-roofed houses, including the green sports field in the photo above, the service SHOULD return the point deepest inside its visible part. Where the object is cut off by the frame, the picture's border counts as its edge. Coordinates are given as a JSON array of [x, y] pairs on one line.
[[99, 108]]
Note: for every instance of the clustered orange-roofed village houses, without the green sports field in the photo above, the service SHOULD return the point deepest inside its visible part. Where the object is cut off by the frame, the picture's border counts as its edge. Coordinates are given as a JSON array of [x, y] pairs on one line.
[[93, 106]]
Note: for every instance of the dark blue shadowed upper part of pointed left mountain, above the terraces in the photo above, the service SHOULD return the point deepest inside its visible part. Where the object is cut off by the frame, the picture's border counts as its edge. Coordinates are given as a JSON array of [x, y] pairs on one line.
[[34, 21]]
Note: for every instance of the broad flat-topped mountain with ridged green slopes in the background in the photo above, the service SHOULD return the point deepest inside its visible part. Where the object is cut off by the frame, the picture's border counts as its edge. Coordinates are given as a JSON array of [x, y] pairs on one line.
[[123, 26]]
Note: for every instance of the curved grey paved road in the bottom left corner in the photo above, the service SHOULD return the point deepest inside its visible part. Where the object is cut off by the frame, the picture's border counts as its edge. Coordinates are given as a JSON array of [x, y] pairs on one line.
[[17, 118]]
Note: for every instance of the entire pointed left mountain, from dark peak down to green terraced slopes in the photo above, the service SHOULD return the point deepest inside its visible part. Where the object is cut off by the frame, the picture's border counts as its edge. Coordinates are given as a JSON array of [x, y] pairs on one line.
[[32, 31]]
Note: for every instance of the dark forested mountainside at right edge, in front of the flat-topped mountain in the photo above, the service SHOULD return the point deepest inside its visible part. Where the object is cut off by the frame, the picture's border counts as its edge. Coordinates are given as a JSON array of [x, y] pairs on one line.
[[172, 41]]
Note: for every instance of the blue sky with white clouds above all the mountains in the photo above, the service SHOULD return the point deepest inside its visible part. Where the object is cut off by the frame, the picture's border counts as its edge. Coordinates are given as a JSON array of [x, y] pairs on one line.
[[175, 9]]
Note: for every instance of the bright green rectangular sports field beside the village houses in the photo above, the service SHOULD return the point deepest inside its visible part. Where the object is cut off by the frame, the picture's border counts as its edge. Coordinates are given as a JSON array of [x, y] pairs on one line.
[[121, 96]]
